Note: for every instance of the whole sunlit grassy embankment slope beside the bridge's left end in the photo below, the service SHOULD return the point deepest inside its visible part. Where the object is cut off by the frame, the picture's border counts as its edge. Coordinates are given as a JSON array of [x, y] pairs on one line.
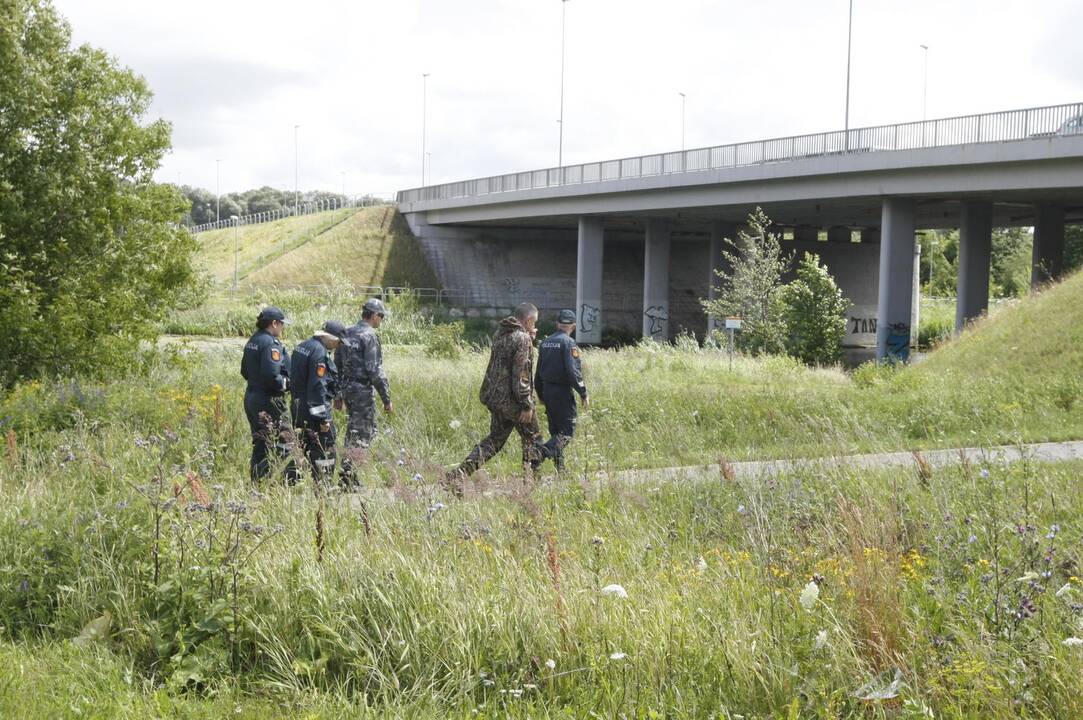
[[368, 246]]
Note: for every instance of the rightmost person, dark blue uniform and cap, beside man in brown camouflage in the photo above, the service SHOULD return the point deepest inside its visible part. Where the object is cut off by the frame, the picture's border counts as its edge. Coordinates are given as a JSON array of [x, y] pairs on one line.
[[558, 379]]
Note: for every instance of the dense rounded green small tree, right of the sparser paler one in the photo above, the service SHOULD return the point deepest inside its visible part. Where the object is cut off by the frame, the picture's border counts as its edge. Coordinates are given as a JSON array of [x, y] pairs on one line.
[[815, 315]]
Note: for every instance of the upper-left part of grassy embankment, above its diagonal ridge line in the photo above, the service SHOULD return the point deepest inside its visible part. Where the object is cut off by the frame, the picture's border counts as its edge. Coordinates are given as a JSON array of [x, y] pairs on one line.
[[258, 245]]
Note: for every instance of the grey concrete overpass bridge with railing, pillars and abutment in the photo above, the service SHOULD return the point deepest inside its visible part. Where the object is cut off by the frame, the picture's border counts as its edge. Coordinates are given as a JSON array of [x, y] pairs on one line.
[[635, 242]]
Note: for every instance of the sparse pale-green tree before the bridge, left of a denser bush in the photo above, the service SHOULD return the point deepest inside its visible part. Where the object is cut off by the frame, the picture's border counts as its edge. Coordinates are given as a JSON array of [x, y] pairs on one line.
[[752, 287]]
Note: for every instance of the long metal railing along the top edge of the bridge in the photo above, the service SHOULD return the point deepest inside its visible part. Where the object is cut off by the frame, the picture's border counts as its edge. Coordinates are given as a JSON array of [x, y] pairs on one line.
[[1036, 123]]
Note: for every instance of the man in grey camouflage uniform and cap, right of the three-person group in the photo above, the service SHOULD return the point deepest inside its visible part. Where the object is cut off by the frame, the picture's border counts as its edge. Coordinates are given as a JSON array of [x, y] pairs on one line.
[[360, 360]]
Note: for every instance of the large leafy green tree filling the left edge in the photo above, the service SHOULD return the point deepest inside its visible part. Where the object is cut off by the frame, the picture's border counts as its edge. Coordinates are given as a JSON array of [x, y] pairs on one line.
[[92, 254]]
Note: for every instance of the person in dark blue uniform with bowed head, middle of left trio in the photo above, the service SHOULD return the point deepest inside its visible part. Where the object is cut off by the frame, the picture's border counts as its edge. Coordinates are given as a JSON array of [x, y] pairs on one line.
[[314, 381]]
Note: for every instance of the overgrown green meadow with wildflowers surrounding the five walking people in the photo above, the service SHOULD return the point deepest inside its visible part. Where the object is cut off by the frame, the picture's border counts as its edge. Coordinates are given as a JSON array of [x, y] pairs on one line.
[[951, 594]]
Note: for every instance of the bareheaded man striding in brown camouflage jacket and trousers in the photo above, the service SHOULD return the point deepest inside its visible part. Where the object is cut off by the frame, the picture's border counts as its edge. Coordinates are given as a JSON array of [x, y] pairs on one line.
[[508, 394]]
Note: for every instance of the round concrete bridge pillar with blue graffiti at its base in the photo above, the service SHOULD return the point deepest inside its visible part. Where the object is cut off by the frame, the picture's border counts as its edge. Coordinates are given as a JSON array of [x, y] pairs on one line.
[[895, 304]]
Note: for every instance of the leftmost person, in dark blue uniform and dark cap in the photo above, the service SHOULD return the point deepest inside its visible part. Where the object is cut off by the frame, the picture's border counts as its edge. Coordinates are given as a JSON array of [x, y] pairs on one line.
[[266, 366]]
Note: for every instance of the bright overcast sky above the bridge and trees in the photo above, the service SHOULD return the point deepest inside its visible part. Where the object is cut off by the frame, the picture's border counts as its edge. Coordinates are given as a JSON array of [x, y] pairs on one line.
[[236, 76]]
